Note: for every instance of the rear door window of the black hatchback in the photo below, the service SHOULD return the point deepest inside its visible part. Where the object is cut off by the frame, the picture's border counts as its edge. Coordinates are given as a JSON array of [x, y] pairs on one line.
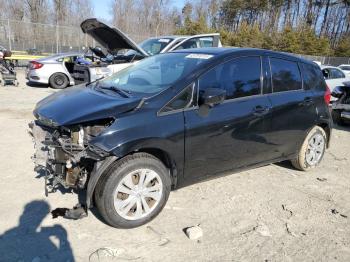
[[285, 75]]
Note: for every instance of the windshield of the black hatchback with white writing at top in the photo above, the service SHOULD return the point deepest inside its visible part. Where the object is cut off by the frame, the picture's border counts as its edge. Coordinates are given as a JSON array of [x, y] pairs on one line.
[[154, 74]]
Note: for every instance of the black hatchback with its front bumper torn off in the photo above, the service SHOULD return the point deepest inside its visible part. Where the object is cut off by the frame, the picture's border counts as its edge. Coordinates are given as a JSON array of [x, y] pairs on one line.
[[173, 119]]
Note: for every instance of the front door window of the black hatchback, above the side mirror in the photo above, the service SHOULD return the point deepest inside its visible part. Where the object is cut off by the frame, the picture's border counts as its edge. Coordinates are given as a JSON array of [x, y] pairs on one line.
[[240, 77]]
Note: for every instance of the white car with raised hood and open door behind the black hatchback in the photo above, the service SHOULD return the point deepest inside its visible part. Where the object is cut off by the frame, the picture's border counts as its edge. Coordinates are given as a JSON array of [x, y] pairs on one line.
[[125, 51]]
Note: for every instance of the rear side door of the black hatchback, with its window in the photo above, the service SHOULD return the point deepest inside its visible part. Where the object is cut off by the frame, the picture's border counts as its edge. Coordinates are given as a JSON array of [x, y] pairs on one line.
[[293, 108]]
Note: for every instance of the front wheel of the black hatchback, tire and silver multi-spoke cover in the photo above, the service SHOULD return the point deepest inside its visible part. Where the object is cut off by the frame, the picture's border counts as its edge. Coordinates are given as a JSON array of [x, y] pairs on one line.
[[132, 207]]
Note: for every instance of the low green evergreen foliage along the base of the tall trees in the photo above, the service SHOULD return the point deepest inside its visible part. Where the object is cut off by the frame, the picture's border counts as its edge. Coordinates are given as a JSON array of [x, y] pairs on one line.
[[301, 40]]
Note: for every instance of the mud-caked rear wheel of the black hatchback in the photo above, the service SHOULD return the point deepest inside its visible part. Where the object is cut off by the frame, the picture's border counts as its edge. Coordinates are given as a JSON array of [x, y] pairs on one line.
[[309, 148]]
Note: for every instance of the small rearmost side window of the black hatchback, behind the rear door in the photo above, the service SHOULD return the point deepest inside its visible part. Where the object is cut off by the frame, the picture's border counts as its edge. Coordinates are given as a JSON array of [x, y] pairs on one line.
[[312, 77]]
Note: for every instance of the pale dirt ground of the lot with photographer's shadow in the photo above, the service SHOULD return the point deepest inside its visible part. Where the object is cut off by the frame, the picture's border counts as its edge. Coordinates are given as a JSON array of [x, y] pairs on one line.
[[273, 213]]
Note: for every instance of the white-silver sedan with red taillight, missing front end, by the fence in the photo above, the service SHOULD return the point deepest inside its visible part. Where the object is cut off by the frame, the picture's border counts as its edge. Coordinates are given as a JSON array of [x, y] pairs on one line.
[[54, 70]]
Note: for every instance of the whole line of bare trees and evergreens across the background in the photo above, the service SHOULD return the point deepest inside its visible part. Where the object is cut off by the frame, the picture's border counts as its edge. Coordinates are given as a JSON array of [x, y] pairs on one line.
[[314, 27]]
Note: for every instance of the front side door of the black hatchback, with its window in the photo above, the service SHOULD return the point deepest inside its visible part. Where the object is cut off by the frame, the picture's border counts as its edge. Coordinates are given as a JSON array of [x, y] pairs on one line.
[[232, 134]]
